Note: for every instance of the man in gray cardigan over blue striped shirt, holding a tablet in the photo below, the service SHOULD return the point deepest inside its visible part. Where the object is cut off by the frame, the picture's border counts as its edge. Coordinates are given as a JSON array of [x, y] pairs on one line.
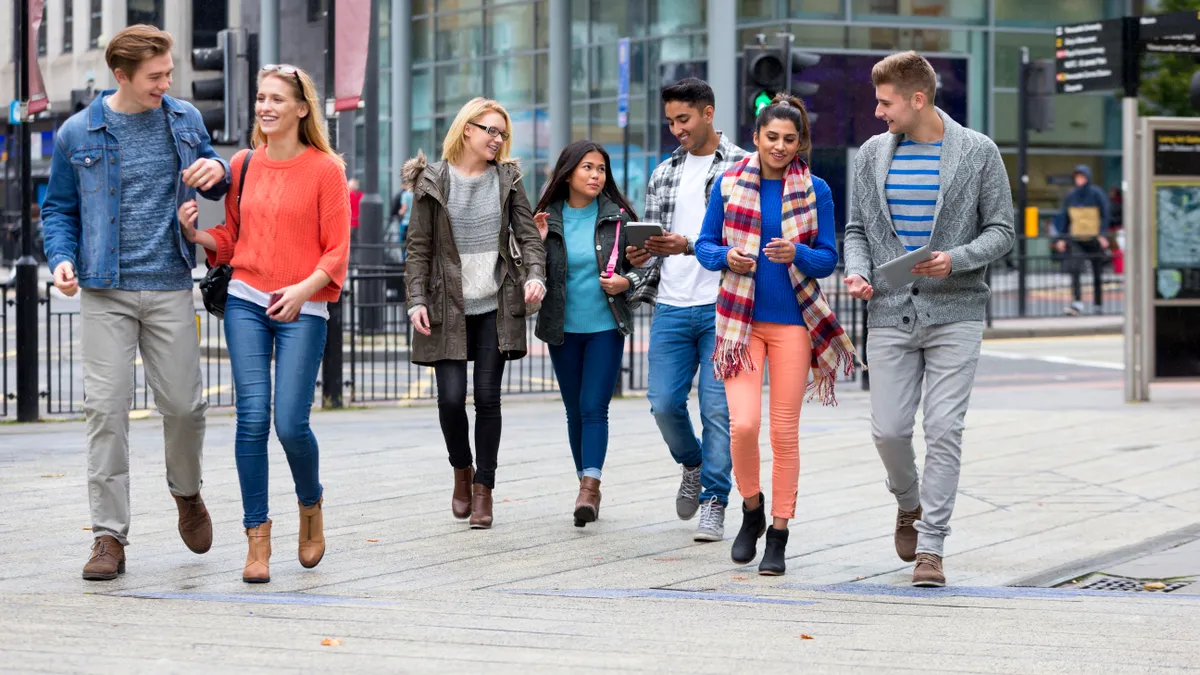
[[927, 182]]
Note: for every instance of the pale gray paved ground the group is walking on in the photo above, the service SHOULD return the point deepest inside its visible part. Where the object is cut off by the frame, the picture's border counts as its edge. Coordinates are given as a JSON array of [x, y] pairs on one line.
[[1057, 470]]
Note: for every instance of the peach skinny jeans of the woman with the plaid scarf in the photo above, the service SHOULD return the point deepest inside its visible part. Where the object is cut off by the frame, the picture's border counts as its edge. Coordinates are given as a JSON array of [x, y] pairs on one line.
[[788, 351]]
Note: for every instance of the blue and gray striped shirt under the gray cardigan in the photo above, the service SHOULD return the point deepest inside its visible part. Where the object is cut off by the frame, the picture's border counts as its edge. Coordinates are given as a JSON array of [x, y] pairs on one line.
[[911, 190]]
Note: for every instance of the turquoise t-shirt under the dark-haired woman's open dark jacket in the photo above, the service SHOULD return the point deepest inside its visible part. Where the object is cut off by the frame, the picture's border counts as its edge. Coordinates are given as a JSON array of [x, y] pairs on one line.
[[587, 304]]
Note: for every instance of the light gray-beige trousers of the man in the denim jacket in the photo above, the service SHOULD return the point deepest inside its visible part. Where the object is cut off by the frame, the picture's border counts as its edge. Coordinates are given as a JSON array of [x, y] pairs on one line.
[[115, 325]]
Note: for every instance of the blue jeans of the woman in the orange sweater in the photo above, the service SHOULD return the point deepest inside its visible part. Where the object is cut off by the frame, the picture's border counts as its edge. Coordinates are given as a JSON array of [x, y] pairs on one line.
[[298, 347]]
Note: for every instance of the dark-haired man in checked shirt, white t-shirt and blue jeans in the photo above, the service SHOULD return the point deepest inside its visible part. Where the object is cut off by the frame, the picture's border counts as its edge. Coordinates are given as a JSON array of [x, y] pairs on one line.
[[683, 334]]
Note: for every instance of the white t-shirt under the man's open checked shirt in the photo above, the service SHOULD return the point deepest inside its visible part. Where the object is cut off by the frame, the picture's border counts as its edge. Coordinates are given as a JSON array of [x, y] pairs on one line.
[[685, 283]]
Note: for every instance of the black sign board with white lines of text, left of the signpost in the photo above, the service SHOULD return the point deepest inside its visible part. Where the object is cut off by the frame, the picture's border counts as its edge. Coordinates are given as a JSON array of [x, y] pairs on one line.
[[1089, 57]]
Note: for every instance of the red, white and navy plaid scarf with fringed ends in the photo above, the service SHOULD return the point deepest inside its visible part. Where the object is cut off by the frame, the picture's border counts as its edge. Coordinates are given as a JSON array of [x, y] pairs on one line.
[[832, 349]]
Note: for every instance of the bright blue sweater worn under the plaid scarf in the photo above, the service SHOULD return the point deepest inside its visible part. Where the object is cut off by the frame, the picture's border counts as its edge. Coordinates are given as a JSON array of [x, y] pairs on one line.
[[775, 300]]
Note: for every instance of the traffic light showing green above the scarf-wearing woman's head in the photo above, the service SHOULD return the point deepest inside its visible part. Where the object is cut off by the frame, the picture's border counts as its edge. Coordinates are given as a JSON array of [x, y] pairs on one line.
[[767, 73]]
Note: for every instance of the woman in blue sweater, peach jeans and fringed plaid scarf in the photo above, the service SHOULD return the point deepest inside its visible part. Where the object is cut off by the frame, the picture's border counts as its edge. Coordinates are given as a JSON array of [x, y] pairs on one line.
[[770, 229]]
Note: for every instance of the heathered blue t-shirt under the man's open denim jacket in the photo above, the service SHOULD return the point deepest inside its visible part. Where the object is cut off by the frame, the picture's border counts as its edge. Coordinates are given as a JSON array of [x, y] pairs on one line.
[[151, 256]]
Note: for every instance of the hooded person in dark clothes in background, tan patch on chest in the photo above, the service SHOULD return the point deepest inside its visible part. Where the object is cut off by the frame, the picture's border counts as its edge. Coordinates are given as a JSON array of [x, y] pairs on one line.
[[1082, 235]]
